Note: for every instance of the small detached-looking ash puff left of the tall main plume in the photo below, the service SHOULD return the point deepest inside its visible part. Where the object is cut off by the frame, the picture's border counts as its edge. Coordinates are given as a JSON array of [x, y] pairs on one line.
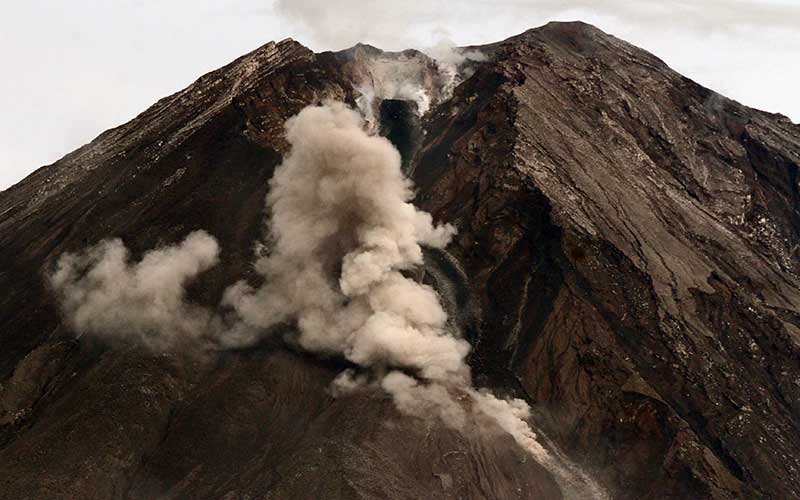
[[102, 293]]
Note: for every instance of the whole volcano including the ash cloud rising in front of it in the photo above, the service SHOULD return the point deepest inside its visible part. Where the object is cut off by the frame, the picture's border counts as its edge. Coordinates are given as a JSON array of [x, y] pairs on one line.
[[550, 267]]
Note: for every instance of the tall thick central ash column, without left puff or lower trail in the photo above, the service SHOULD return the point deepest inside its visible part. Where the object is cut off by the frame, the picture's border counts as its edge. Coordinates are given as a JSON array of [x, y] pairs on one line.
[[343, 232]]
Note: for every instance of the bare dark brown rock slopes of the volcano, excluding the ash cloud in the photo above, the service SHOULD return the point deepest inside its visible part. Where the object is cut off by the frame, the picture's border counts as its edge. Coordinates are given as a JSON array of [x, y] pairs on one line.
[[625, 261]]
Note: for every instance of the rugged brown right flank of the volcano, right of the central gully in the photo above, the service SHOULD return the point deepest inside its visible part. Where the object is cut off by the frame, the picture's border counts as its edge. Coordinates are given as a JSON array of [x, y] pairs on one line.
[[631, 237]]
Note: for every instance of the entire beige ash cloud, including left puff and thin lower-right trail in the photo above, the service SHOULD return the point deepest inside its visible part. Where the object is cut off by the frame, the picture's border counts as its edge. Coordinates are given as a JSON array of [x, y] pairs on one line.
[[345, 241]]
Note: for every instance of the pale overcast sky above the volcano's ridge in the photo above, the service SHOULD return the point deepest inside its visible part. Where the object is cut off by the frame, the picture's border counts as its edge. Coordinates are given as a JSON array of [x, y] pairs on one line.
[[73, 69]]
